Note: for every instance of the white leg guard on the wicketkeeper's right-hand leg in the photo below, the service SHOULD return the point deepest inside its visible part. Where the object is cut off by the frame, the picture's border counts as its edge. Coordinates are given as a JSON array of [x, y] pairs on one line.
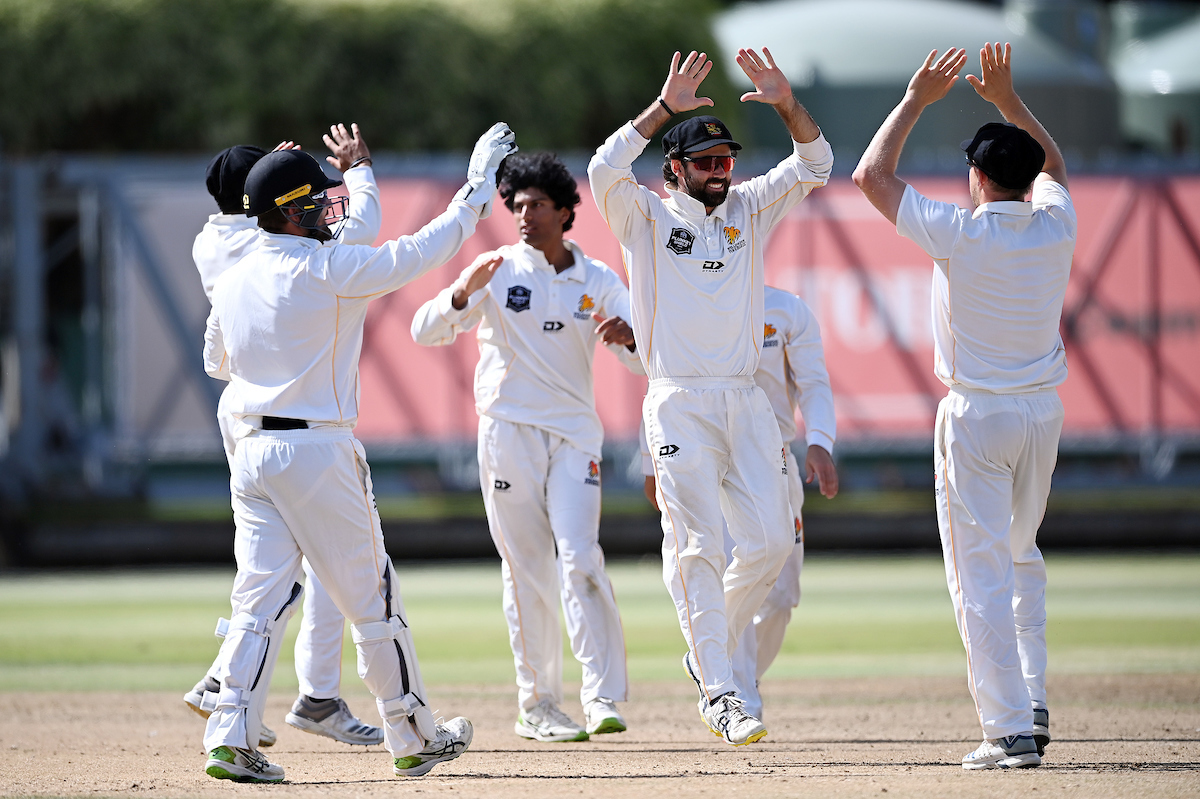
[[376, 642]]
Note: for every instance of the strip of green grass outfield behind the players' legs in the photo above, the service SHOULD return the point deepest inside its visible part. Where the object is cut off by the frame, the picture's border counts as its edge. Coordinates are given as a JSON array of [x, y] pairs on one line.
[[860, 617]]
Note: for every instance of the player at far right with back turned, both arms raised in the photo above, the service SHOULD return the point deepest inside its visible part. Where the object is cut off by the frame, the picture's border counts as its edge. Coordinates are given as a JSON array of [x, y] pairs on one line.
[[1001, 268]]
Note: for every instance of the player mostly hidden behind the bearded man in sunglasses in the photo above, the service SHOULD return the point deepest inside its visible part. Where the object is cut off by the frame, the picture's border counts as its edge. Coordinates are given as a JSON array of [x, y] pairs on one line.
[[794, 376]]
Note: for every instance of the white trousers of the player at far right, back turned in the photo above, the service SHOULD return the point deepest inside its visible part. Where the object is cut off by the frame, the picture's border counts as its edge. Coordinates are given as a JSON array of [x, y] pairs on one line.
[[994, 456]]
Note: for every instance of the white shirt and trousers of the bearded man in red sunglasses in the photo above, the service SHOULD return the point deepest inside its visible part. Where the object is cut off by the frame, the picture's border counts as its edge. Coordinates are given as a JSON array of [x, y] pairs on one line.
[[697, 291]]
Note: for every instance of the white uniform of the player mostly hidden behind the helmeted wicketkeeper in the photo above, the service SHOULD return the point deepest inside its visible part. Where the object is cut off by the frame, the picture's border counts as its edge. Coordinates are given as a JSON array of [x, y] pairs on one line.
[[224, 242]]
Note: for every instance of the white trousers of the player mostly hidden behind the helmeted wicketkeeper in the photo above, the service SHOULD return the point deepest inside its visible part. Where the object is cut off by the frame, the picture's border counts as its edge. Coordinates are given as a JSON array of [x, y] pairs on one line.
[[319, 651]]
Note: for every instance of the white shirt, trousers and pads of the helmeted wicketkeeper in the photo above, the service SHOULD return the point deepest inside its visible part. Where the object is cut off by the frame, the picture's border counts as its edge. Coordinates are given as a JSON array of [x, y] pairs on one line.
[[287, 331]]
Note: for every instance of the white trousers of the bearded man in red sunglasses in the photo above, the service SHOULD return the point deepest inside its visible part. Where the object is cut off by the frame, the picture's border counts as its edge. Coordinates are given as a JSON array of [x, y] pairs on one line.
[[718, 455]]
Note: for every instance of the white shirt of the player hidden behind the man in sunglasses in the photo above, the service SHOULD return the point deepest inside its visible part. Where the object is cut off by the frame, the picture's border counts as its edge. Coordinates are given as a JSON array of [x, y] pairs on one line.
[[793, 370]]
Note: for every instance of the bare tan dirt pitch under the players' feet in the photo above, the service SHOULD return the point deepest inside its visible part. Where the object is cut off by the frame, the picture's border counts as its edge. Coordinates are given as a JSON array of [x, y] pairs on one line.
[[1129, 736]]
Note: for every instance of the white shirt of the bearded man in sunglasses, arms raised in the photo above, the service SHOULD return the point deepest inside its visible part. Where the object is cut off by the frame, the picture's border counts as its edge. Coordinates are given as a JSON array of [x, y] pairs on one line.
[[697, 280]]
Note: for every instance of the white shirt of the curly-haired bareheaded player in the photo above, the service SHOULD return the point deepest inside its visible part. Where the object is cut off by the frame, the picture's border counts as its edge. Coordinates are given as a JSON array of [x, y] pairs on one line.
[[537, 340]]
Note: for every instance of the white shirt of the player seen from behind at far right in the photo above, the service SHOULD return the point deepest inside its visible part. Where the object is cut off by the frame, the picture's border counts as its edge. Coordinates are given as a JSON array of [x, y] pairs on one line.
[[1000, 279]]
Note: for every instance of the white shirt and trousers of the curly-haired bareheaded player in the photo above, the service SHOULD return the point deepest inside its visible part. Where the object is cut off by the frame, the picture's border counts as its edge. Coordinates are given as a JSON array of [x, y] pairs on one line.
[[539, 459]]
